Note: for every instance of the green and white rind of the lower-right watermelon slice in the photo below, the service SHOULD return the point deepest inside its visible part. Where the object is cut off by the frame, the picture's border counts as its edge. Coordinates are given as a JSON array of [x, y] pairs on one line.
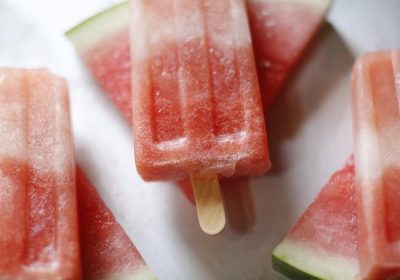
[[299, 260]]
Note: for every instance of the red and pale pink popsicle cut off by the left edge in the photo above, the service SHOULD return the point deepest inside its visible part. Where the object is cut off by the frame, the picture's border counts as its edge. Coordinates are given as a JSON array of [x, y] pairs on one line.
[[38, 213]]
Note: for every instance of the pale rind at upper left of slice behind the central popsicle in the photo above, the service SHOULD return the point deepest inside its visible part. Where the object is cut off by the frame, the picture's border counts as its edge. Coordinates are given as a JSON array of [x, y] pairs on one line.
[[98, 27]]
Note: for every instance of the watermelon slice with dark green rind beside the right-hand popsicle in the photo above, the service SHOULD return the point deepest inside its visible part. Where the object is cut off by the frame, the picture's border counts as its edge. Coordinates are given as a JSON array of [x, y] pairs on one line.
[[324, 242]]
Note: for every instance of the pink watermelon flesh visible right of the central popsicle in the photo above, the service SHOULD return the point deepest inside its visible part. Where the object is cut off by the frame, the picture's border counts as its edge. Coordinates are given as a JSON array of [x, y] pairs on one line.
[[281, 32]]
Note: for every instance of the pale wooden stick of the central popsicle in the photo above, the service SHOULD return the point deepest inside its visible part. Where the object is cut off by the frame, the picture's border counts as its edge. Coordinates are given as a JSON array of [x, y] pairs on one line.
[[209, 204]]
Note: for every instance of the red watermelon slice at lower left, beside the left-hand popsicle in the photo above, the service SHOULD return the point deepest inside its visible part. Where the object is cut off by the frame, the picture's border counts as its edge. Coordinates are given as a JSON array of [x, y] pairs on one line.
[[107, 252]]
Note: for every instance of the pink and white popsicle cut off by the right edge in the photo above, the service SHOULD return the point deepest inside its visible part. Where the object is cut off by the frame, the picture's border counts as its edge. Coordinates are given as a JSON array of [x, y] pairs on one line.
[[377, 162]]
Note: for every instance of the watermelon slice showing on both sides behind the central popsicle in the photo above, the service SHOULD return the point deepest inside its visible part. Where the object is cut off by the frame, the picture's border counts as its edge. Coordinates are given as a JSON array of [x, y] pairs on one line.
[[281, 31]]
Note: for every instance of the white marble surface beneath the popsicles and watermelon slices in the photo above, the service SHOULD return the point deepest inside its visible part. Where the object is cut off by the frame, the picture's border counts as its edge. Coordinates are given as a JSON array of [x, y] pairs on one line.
[[310, 137]]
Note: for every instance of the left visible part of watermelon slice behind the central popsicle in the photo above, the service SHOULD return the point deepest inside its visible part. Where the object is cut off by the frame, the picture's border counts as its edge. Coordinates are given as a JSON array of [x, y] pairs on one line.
[[103, 43]]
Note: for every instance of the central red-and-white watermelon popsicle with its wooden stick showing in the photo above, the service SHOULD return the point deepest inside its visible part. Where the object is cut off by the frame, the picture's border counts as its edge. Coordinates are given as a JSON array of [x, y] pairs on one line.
[[197, 108]]
